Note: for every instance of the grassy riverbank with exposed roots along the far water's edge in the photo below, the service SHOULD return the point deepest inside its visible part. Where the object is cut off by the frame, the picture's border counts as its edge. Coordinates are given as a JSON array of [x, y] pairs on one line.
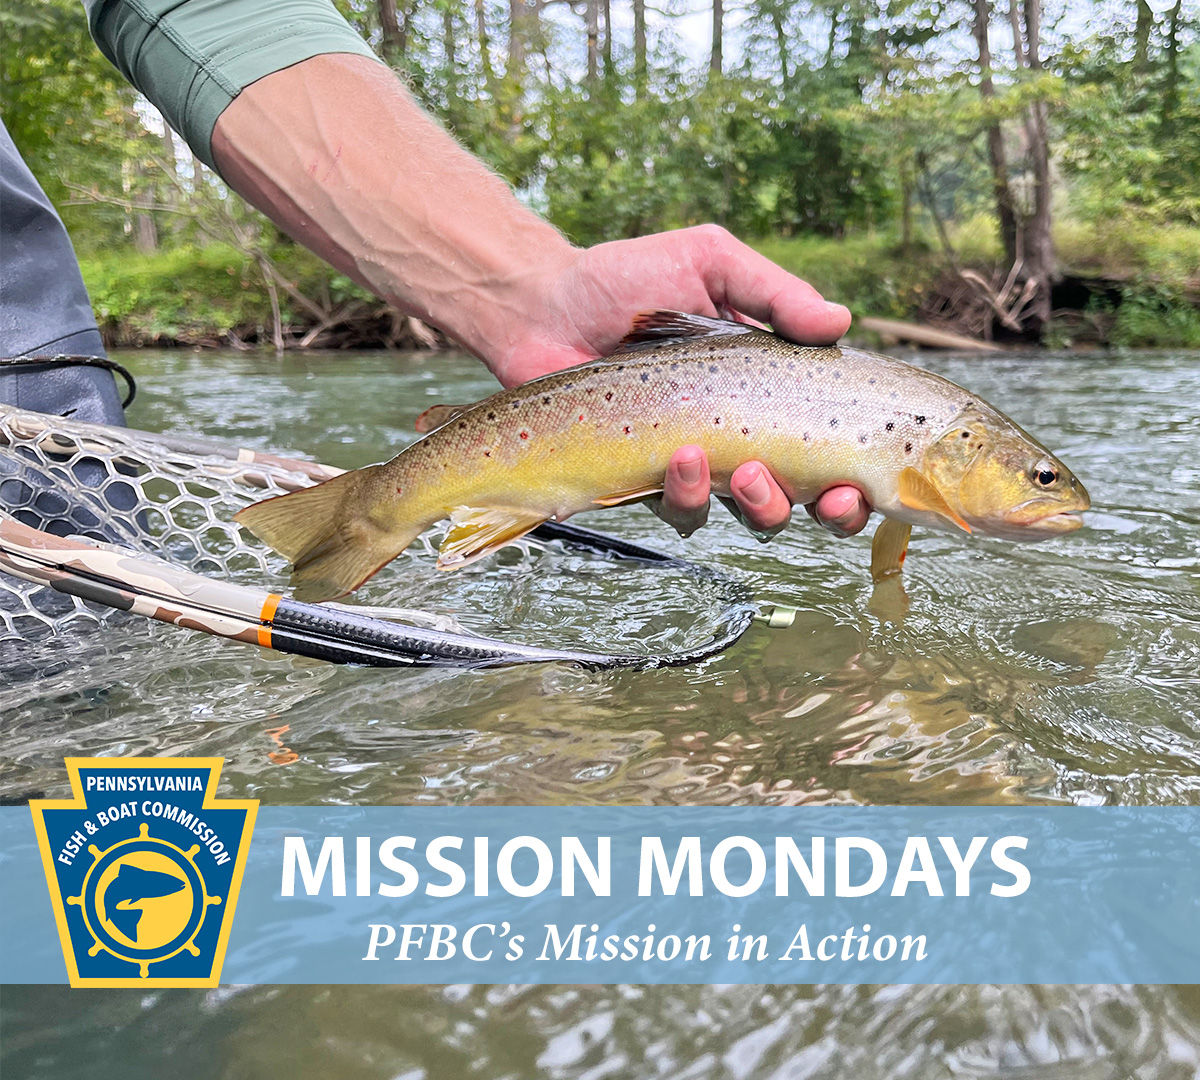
[[1129, 286]]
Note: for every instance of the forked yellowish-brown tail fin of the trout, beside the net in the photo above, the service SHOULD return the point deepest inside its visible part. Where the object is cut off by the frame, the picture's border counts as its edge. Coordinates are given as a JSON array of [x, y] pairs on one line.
[[328, 535]]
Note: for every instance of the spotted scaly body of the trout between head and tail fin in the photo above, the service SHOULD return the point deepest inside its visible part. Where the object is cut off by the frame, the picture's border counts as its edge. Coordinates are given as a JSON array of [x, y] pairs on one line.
[[811, 418]]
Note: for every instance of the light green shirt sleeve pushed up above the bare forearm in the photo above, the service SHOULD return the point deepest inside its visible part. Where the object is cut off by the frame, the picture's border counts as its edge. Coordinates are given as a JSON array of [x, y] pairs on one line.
[[191, 58]]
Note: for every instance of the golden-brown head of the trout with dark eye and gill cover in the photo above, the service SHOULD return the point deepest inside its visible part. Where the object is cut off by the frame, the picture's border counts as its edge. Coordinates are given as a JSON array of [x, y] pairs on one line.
[[1001, 481]]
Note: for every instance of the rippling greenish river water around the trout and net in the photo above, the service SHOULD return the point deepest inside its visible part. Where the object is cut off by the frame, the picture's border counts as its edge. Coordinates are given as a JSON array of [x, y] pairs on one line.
[[1064, 673]]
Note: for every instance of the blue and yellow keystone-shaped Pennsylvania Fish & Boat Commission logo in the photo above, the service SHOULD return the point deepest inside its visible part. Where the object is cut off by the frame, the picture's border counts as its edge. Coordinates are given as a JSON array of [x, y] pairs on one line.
[[145, 866]]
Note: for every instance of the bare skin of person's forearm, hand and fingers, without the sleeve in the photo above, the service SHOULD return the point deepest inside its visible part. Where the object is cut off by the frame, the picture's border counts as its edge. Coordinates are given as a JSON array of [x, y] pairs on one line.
[[441, 237]]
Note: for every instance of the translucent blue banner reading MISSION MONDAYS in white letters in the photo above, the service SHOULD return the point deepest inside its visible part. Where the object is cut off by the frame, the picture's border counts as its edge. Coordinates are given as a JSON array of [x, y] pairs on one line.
[[573, 895]]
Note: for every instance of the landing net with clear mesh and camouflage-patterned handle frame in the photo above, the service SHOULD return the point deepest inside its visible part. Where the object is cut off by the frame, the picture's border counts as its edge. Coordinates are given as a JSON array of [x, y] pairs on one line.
[[101, 524]]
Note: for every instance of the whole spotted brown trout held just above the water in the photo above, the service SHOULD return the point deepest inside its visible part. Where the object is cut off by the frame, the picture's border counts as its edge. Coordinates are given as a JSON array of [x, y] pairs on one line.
[[922, 449]]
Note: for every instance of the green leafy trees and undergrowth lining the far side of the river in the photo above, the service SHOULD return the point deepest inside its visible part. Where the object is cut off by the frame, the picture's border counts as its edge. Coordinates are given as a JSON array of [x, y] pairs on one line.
[[843, 133]]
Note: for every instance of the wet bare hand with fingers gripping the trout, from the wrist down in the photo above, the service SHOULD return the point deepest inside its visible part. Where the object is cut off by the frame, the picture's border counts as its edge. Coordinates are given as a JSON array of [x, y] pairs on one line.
[[585, 304]]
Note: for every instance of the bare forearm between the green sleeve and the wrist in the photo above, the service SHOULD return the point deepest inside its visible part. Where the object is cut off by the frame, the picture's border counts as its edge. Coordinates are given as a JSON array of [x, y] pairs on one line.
[[338, 153]]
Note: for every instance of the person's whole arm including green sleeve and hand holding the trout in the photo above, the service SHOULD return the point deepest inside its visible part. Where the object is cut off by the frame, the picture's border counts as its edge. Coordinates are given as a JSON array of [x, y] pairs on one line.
[[338, 153]]
